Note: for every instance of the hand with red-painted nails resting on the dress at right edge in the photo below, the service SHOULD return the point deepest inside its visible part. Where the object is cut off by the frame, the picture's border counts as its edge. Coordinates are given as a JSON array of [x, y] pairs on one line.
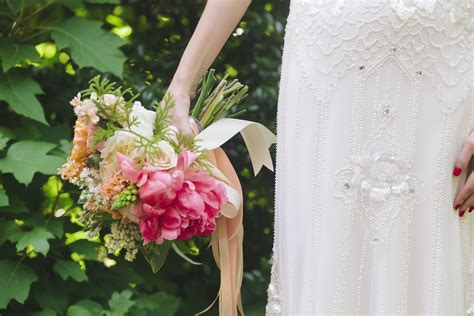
[[465, 198]]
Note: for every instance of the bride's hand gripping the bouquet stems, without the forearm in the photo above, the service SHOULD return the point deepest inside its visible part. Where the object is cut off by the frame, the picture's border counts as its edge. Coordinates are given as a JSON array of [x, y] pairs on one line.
[[180, 112]]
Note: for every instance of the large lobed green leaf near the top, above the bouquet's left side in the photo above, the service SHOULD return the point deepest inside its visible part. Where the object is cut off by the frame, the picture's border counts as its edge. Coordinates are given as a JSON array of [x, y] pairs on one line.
[[90, 45]]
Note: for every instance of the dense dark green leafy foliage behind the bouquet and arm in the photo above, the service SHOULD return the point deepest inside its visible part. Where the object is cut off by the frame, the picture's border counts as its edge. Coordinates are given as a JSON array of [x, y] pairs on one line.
[[49, 50]]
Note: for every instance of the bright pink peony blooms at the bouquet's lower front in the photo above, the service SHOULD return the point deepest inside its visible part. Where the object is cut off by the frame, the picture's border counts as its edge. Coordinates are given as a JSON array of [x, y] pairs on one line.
[[175, 204]]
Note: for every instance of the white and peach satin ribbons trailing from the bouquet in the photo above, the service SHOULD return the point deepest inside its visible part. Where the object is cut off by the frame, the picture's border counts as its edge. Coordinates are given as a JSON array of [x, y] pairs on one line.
[[227, 240]]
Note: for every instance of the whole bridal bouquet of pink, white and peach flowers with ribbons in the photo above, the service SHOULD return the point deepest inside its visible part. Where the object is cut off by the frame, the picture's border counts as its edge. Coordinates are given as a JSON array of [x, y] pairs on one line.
[[150, 186]]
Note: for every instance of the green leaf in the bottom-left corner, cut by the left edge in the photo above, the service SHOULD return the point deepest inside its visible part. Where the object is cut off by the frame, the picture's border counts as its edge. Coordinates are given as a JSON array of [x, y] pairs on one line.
[[16, 280]]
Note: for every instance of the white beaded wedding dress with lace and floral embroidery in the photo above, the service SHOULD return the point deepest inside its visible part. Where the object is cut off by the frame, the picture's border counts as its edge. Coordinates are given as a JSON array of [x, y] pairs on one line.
[[375, 102]]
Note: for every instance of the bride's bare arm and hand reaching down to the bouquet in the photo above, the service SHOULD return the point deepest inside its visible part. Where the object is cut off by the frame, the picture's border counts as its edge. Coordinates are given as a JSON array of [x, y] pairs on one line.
[[217, 22]]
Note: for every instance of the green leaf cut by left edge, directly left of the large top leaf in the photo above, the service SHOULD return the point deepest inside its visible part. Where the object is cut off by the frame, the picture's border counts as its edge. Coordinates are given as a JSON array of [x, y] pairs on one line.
[[12, 53]]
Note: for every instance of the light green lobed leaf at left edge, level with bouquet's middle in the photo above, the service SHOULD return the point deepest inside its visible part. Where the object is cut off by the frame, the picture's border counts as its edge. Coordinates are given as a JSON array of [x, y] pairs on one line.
[[20, 161]]
